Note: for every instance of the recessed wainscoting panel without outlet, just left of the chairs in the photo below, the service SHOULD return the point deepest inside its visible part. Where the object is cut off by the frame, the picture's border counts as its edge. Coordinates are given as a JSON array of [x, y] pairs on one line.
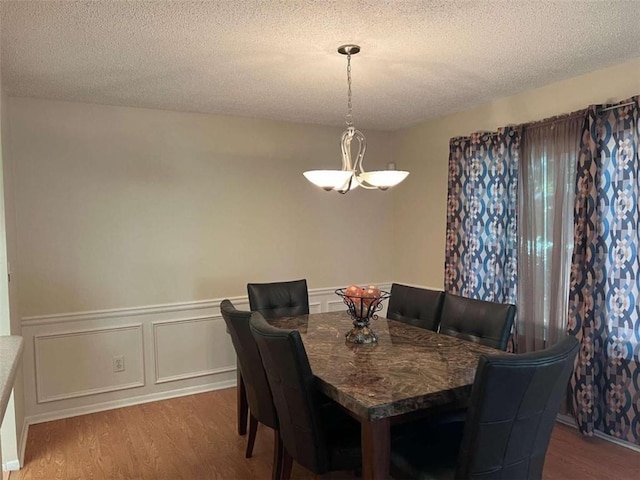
[[192, 347]]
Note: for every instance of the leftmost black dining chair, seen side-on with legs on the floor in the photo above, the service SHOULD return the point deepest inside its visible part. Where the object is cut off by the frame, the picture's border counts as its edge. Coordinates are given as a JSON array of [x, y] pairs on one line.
[[258, 393]]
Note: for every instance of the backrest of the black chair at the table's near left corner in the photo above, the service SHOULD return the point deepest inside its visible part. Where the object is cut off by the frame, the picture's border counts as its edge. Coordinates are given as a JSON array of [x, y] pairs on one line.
[[294, 393]]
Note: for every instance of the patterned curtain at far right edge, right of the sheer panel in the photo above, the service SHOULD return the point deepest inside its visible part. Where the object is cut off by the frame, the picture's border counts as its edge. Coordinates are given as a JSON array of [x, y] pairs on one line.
[[604, 301]]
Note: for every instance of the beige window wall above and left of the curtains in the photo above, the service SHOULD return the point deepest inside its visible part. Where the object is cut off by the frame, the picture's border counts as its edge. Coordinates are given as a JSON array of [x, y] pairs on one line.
[[420, 203]]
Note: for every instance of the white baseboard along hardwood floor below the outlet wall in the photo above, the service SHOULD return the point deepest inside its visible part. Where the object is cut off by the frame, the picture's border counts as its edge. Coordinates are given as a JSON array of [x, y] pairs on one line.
[[127, 402]]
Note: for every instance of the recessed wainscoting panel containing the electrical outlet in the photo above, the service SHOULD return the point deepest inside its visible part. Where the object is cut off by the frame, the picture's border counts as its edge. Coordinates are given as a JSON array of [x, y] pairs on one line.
[[80, 363]]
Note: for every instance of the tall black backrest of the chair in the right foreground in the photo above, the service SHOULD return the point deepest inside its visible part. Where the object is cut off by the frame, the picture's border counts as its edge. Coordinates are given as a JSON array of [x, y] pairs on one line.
[[512, 411]]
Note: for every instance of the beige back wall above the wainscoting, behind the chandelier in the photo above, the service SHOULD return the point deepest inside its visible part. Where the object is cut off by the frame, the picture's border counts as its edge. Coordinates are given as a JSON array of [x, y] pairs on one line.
[[119, 207]]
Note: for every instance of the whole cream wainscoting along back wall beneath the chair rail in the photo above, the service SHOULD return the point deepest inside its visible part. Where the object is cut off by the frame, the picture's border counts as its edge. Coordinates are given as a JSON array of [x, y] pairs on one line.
[[169, 350]]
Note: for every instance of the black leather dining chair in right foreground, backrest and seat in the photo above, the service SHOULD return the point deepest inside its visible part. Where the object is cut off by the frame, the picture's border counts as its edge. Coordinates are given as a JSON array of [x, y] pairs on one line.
[[513, 407]]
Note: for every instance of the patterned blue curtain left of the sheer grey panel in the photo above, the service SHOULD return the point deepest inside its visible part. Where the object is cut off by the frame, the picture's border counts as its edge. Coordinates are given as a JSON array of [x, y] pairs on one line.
[[481, 245]]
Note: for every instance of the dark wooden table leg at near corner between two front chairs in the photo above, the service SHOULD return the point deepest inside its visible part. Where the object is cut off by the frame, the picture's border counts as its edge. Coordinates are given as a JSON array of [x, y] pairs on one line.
[[376, 449]]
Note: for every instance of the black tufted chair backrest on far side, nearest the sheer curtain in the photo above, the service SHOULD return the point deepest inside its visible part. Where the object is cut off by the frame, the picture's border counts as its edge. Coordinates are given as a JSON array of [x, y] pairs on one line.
[[479, 321]]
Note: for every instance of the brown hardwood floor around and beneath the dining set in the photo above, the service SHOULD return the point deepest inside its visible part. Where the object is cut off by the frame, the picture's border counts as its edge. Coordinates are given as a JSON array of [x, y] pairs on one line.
[[195, 438]]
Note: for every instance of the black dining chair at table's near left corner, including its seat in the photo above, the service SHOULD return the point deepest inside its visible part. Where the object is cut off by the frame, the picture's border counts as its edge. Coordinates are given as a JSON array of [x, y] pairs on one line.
[[315, 432]]
